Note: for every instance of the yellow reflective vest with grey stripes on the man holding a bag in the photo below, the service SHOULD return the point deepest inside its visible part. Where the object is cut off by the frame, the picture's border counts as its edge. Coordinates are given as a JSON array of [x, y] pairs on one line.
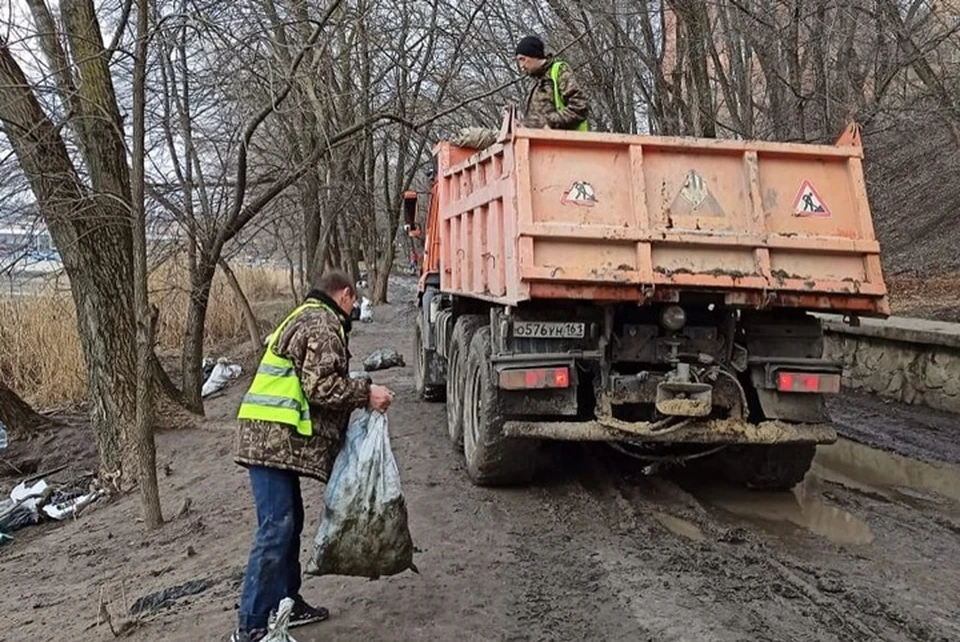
[[276, 395]]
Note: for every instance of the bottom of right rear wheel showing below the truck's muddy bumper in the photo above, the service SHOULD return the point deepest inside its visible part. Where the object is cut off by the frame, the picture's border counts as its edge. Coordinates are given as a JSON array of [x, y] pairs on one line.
[[774, 467]]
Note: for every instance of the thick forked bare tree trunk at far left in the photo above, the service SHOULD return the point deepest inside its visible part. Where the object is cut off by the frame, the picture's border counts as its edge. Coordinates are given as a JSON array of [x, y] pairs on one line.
[[89, 222]]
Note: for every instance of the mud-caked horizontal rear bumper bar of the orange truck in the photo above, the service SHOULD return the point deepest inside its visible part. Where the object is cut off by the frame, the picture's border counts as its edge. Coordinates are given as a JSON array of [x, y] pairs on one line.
[[714, 431]]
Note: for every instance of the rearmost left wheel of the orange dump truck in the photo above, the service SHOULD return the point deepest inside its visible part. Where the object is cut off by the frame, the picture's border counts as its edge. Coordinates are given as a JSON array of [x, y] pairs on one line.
[[492, 459]]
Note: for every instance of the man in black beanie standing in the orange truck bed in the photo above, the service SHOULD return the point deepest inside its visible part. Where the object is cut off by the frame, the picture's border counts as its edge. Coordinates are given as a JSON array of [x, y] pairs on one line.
[[556, 100]]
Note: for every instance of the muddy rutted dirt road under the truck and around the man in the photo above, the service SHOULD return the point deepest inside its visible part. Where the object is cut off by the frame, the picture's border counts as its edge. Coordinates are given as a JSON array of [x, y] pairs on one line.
[[868, 548]]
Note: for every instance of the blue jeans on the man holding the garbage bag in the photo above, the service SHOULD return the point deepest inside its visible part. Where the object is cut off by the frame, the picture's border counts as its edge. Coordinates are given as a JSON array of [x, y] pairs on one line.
[[273, 570]]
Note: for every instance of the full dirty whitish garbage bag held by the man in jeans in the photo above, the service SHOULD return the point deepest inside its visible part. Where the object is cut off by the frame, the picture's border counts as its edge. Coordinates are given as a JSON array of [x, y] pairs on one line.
[[363, 530]]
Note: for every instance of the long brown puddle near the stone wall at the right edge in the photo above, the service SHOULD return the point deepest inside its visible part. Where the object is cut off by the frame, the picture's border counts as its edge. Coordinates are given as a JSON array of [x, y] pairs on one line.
[[852, 464]]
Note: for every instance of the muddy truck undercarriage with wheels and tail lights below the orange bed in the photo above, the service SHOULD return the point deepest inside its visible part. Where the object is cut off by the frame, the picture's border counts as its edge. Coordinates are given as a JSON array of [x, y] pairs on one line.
[[747, 385]]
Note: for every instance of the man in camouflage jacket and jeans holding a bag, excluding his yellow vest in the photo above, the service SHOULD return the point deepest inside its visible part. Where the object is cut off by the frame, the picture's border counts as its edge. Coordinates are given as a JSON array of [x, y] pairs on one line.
[[276, 455]]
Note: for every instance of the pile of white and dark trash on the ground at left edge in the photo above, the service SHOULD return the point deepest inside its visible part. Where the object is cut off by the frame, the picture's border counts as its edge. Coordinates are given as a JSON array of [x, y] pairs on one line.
[[31, 502]]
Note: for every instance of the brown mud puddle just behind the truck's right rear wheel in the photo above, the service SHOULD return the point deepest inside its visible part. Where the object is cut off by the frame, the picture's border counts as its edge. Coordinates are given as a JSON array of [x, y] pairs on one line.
[[801, 507]]
